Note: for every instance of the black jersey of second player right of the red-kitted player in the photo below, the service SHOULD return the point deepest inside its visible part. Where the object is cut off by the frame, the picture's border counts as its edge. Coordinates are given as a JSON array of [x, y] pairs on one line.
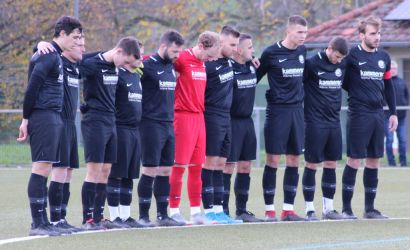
[[243, 89]]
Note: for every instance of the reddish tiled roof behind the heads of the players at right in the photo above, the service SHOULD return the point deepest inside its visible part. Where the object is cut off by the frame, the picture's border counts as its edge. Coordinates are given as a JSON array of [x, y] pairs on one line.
[[395, 33]]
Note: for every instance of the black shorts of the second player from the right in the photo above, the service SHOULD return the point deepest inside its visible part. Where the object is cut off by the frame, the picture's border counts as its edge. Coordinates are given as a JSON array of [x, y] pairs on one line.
[[322, 144]]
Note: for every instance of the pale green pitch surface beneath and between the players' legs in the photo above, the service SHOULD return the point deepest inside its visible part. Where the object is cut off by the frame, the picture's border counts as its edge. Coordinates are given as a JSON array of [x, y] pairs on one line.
[[393, 200]]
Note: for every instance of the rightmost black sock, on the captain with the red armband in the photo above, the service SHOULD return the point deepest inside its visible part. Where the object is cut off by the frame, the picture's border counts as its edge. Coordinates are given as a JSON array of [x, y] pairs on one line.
[[370, 182]]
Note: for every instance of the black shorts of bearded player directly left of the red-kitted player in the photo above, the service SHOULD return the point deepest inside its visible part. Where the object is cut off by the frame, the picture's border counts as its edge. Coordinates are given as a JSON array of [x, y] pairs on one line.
[[158, 140]]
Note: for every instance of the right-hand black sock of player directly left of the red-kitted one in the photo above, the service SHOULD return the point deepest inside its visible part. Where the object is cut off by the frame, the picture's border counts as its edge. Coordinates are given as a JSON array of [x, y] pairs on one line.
[[161, 193]]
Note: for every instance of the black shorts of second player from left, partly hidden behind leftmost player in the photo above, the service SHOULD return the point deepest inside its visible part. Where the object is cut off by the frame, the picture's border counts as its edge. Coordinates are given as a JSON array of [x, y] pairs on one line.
[[69, 146]]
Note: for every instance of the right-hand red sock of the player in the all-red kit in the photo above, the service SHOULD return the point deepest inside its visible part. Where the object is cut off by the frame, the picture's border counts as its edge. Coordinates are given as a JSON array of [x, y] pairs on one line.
[[194, 185]]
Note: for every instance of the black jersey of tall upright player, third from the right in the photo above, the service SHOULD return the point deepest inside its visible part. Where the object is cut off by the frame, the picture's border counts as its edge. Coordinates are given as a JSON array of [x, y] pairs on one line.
[[285, 74]]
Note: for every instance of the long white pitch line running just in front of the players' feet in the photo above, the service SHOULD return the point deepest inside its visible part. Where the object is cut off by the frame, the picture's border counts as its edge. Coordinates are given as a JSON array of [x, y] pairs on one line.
[[27, 238]]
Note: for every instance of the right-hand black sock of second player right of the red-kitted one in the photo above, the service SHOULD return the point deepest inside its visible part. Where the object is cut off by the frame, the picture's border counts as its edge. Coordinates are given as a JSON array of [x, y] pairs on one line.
[[241, 187]]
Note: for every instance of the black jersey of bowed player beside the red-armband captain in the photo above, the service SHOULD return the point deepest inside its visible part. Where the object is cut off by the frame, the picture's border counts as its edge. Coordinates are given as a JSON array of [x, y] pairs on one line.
[[323, 95]]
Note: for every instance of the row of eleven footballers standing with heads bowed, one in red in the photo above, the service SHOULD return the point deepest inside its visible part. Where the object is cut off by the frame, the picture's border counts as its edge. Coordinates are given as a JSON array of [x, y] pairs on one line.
[[191, 109]]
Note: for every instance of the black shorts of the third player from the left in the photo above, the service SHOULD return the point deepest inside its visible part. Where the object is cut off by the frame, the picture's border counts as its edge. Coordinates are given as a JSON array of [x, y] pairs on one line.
[[100, 137]]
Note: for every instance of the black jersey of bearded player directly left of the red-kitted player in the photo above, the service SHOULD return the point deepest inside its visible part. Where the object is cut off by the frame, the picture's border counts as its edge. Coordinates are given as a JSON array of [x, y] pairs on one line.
[[158, 87]]
